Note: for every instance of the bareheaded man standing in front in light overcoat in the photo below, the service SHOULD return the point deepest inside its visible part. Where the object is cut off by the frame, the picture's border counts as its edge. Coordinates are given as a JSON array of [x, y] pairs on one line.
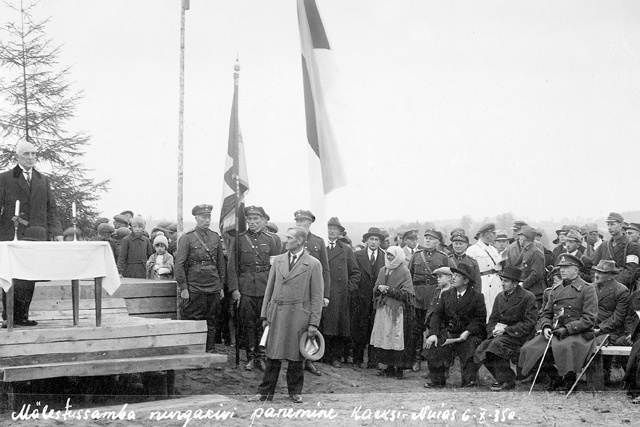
[[292, 305]]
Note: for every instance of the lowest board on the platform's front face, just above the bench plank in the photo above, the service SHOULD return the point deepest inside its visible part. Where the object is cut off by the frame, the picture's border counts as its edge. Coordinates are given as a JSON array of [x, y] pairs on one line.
[[40, 359]]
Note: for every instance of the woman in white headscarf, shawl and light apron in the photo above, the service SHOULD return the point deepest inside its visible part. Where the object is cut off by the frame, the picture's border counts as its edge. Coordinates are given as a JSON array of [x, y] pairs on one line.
[[393, 323]]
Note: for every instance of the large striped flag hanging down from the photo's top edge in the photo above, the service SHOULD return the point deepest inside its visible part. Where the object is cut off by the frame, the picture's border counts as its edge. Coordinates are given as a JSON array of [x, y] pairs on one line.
[[320, 93]]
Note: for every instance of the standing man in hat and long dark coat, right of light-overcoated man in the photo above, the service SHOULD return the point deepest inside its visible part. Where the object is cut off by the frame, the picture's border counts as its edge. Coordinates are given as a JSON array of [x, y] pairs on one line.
[[345, 275]]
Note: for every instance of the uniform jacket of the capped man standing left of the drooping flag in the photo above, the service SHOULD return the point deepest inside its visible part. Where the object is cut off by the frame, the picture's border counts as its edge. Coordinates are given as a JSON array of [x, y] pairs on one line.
[[195, 267]]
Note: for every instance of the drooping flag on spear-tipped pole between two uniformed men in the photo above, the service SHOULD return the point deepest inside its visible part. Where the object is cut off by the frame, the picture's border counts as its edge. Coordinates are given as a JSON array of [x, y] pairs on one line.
[[233, 192]]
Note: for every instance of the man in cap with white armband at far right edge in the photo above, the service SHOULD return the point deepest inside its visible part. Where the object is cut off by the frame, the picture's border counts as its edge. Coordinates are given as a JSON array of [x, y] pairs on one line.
[[620, 249]]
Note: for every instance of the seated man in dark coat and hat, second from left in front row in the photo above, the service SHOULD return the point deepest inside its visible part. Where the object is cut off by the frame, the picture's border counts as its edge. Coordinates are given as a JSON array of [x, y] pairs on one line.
[[511, 322]]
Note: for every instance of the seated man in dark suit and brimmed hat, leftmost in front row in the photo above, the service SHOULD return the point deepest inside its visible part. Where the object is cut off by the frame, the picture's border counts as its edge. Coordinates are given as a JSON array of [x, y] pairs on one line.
[[457, 328]]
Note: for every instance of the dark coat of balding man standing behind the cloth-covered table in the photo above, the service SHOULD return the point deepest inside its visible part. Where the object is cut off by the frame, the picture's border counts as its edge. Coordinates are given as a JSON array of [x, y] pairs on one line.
[[37, 204]]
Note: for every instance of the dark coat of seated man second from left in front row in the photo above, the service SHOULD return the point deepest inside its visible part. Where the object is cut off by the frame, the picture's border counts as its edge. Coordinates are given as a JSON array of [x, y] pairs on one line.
[[519, 313]]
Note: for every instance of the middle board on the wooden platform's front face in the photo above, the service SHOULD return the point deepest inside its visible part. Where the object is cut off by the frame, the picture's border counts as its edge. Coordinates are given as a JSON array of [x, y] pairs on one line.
[[103, 345]]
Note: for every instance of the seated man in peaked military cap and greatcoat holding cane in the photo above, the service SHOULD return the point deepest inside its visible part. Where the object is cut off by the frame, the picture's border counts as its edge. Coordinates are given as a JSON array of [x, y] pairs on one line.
[[566, 323]]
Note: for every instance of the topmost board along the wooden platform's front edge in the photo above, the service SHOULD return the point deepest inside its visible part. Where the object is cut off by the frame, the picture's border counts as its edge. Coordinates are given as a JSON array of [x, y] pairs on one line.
[[135, 327]]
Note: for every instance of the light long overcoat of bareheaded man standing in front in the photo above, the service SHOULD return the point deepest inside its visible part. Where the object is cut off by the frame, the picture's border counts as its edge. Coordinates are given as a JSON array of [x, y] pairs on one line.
[[292, 302]]
